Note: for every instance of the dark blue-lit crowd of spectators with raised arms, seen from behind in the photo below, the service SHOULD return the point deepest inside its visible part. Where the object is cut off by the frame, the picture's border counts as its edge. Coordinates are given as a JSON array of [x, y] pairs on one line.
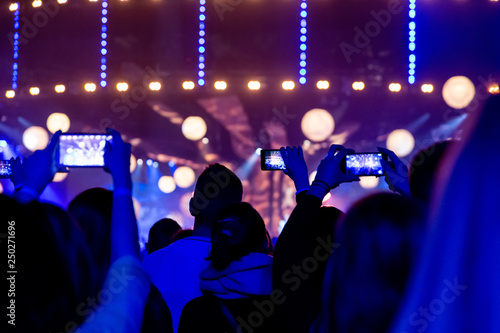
[[422, 258]]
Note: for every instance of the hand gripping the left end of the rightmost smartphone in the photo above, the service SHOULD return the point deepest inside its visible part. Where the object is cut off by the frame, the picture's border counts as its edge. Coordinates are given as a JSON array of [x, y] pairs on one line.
[[329, 170]]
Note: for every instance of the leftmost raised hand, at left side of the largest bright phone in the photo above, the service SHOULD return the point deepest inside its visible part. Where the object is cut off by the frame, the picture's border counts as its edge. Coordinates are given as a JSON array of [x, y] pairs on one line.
[[38, 169]]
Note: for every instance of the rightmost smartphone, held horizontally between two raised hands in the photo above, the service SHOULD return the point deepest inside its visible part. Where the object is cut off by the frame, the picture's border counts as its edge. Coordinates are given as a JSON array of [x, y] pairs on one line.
[[363, 164]]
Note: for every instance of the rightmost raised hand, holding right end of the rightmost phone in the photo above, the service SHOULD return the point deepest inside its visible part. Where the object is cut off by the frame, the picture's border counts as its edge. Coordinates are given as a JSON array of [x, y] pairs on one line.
[[397, 177]]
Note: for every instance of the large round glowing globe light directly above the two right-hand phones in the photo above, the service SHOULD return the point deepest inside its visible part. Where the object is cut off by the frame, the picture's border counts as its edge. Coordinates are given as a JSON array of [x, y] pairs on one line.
[[317, 125]]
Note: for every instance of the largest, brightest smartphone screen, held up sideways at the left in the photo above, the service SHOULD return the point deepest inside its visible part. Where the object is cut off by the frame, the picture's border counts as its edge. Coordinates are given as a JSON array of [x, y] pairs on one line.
[[77, 150]]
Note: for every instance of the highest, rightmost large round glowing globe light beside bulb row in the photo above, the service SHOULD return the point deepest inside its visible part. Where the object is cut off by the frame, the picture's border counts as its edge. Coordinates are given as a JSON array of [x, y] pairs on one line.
[[458, 92]]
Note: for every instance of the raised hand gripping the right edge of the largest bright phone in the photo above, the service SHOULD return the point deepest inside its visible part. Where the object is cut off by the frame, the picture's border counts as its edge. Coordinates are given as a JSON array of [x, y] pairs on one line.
[[117, 160]]
